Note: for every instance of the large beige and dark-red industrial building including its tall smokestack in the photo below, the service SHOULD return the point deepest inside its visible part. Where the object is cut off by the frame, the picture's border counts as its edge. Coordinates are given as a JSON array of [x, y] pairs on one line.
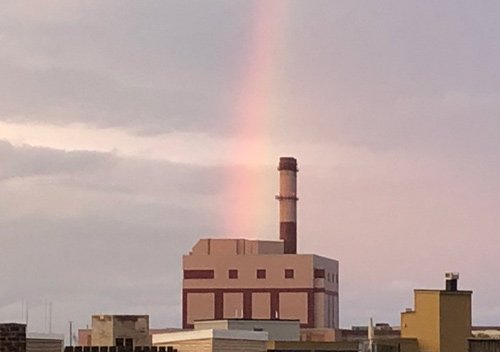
[[239, 278]]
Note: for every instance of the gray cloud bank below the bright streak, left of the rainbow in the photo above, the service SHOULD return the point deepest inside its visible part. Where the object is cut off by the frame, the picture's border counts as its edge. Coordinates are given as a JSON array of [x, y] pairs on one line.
[[99, 230]]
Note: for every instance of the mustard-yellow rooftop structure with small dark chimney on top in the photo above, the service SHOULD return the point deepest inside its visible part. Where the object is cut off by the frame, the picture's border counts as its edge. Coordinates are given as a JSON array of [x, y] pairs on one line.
[[441, 319]]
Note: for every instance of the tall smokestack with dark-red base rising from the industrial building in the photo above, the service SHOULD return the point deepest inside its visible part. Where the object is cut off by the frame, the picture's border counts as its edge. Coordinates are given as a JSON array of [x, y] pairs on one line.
[[288, 203]]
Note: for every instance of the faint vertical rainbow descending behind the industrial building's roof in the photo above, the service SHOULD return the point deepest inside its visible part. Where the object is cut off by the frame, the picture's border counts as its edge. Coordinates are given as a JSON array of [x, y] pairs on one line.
[[253, 114]]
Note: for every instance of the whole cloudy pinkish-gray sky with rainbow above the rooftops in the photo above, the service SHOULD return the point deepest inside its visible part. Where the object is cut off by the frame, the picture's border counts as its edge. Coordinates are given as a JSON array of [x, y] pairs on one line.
[[130, 129]]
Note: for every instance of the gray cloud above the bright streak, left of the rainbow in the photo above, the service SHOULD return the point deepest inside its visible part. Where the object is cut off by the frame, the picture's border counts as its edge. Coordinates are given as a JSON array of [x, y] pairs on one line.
[[150, 69]]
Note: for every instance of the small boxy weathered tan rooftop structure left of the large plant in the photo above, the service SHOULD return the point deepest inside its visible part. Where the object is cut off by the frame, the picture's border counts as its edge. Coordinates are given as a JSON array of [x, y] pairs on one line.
[[120, 330]]
